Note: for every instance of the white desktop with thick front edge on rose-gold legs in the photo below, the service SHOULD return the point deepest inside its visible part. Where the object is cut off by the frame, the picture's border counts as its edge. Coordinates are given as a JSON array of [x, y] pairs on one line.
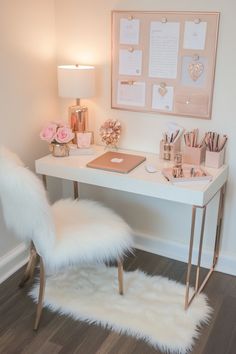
[[137, 181]]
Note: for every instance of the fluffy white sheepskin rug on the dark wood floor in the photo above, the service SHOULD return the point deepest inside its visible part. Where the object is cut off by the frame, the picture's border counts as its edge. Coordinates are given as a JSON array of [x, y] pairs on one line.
[[150, 309]]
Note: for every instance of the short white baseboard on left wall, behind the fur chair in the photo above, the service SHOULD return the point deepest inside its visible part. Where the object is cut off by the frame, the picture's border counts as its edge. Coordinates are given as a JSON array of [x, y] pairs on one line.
[[12, 261]]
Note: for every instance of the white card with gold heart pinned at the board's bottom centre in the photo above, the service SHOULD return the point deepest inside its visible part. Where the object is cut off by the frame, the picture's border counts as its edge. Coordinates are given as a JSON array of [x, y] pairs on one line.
[[164, 103]]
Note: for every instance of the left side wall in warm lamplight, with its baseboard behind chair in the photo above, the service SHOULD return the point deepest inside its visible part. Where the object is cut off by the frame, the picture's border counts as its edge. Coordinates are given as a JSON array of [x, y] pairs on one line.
[[28, 94]]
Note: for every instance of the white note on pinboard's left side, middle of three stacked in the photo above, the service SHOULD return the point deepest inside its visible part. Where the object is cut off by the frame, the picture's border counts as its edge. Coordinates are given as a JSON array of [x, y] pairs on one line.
[[130, 63]]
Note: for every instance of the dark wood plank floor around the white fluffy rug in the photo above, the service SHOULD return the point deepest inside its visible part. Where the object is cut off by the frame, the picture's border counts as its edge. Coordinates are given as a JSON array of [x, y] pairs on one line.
[[59, 334]]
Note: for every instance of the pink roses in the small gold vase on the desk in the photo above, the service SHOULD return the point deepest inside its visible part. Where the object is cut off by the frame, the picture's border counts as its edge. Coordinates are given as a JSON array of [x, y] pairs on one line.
[[57, 133]]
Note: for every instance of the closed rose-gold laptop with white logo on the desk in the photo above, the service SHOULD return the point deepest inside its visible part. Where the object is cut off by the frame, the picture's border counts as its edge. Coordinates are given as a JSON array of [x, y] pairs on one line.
[[116, 162]]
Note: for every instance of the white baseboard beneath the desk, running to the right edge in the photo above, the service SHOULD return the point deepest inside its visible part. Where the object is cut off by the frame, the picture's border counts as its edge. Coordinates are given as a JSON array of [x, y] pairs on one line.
[[226, 263]]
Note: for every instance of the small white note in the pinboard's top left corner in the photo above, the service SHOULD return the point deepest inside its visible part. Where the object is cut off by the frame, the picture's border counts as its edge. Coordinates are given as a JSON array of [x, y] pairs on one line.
[[129, 31]]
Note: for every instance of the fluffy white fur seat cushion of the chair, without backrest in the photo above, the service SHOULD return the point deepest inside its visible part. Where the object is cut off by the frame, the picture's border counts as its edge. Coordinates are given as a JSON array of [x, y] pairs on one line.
[[87, 231]]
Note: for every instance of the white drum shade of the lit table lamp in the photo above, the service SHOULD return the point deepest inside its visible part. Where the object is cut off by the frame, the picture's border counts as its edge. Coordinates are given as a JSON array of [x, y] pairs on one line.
[[76, 81]]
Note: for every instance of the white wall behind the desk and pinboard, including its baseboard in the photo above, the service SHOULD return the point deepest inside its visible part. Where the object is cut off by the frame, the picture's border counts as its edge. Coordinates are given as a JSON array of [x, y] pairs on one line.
[[83, 32]]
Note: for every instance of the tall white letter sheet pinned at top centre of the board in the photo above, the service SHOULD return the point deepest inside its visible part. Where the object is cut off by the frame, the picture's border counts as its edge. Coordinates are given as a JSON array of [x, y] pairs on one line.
[[164, 47]]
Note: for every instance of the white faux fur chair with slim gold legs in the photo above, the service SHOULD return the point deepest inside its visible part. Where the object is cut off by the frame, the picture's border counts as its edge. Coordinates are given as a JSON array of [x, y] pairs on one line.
[[67, 233]]
